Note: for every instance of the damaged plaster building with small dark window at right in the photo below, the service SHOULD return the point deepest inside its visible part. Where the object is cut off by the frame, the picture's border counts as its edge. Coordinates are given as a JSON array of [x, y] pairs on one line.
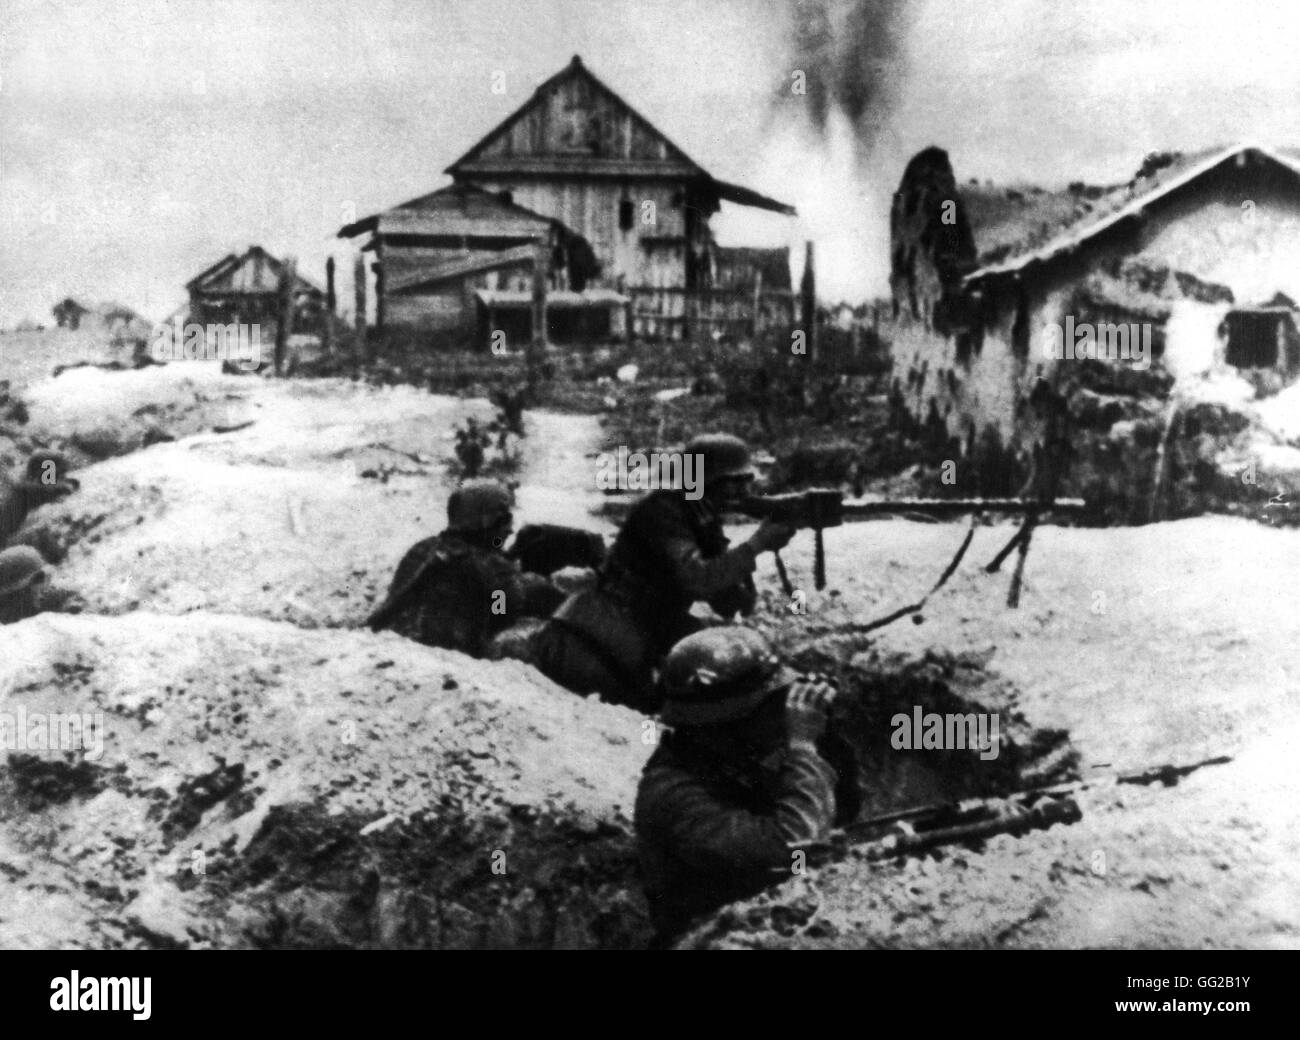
[[1185, 275]]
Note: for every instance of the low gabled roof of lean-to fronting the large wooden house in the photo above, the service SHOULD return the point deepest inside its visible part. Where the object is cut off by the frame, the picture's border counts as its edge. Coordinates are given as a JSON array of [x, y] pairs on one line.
[[456, 210]]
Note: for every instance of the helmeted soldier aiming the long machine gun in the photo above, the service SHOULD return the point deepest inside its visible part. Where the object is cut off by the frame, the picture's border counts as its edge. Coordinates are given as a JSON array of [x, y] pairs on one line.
[[670, 554]]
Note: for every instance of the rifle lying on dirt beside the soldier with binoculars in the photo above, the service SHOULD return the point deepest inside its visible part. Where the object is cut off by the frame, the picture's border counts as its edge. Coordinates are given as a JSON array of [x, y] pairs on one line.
[[915, 831]]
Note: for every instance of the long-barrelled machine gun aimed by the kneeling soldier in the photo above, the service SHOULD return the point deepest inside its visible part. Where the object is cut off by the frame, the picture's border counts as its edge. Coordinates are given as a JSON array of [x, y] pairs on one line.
[[821, 509]]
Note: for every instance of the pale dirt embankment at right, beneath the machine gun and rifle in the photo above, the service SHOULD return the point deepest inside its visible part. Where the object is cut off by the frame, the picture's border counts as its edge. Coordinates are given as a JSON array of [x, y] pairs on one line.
[[1165, 644]]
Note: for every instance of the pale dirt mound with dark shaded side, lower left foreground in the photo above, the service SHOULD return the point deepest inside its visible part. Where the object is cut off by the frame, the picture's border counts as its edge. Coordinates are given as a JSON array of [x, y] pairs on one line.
[[266, 786]]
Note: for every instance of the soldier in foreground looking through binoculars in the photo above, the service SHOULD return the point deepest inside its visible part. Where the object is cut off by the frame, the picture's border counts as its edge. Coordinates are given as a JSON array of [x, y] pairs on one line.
[[738, 785]]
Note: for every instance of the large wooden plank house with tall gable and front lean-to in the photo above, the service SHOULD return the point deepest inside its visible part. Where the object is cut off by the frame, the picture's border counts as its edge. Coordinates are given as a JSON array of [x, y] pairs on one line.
[[609, 213]]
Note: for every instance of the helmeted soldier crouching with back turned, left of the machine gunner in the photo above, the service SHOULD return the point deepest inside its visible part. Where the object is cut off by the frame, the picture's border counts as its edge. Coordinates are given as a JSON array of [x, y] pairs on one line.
[[460, 590]]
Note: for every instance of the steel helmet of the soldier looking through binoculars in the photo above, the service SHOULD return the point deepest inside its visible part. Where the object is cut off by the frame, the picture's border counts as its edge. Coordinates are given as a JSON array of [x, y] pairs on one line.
[[721, 675]]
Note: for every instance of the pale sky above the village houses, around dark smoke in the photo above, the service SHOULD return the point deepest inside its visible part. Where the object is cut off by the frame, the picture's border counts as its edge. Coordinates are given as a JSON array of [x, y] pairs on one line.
[[142, 141]]
